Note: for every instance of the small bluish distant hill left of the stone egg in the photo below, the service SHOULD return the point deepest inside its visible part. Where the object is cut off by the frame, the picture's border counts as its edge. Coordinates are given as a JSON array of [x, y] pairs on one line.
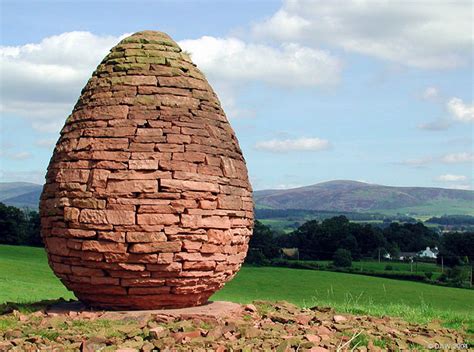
[[20, 194]]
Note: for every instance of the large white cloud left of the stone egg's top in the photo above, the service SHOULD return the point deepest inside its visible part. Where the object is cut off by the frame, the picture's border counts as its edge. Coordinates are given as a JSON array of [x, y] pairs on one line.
[[42, 81]]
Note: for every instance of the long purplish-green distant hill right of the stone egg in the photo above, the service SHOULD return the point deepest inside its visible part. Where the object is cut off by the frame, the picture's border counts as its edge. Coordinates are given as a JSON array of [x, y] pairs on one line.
[[355, 196]]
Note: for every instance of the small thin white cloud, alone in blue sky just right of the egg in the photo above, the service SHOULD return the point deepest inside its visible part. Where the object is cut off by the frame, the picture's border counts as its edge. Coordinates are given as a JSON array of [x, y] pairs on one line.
[[290, 145]]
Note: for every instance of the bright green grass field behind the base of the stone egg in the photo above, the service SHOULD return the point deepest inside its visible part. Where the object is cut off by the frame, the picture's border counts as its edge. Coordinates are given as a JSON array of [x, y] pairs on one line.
[[25, 277]]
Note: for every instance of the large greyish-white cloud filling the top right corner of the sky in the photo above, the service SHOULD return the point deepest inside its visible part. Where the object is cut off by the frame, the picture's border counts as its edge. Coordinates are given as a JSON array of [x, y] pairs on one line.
[[423, 34]]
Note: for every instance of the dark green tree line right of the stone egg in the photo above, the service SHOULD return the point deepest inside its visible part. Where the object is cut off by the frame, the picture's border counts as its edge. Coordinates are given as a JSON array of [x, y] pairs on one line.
[[317, 240]]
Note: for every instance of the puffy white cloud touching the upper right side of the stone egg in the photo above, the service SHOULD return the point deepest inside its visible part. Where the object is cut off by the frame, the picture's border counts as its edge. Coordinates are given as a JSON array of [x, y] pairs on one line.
[[289, 65]]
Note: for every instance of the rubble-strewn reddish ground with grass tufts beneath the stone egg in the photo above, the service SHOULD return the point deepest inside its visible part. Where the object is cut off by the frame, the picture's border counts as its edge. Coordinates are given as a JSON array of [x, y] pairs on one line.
[[278, 326]]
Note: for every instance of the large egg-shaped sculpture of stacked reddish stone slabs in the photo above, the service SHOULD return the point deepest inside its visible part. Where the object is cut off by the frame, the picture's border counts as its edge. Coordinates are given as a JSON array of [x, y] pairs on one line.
[[147, 202]]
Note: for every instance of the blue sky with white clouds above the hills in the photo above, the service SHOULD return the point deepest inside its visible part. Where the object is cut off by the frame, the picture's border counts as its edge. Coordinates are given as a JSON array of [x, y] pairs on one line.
[[376, 91]]
